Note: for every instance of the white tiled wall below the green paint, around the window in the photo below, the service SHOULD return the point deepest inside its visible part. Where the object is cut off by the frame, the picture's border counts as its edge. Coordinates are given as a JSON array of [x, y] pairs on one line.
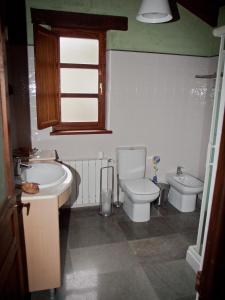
[[153, 100]]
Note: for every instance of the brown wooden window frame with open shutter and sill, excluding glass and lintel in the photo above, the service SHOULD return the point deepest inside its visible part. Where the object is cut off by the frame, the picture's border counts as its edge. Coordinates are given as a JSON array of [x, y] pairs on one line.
[[48, 94]]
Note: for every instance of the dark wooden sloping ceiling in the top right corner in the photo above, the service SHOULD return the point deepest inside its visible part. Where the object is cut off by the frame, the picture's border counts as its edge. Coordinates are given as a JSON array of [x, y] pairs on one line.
[[207, 10]]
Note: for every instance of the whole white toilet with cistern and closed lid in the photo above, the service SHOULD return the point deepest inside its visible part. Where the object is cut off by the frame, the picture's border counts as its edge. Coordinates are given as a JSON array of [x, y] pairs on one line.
[[138, 190]]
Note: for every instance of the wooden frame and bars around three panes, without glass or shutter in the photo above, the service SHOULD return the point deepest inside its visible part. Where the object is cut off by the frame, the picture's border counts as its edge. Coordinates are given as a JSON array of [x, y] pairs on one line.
[[101, 67]]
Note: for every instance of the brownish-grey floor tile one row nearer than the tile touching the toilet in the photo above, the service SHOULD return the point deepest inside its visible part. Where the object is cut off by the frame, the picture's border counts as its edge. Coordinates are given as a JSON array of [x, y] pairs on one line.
[[160, 249]]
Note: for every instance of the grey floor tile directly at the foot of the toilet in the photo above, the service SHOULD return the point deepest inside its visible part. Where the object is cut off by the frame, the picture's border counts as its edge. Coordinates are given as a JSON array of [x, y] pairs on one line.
[[155, 227]]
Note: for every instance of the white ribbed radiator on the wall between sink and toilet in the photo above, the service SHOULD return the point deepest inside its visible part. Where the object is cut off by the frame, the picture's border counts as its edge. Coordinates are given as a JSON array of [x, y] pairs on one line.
[[86, 180]]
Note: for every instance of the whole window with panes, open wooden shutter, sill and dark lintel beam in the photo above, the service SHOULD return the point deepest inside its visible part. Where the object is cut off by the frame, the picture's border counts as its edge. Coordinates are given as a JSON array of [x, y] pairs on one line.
[[70, 64]]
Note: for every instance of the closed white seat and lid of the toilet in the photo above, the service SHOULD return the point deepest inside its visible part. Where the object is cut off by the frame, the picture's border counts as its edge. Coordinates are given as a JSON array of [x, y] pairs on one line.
[[140, 190]]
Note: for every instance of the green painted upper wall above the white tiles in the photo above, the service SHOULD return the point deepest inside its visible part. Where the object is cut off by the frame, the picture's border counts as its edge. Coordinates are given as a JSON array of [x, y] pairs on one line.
[[189, 35]]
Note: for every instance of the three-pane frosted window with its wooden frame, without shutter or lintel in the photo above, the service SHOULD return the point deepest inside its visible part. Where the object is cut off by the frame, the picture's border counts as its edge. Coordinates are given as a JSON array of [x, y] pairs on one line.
[[82, 79]]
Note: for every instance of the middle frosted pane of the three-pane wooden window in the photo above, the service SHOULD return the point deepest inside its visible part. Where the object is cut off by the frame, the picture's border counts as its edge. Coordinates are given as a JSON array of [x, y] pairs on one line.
[[79, 81]]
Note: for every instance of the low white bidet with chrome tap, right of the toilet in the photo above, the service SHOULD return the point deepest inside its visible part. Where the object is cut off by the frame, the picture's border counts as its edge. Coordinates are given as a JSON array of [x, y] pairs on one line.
[[183, 191]]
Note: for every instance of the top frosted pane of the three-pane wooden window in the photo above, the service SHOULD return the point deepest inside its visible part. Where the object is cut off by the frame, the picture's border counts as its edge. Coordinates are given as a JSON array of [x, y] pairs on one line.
[[78, 51]]
